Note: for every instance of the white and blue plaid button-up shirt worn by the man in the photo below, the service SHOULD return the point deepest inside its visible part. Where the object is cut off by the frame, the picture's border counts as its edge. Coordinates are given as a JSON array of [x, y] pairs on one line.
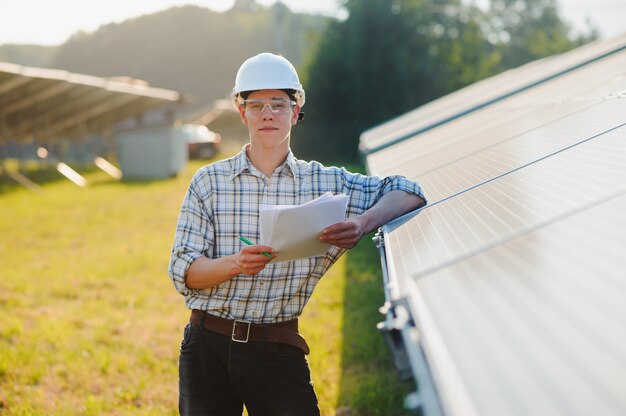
[[222, 203]]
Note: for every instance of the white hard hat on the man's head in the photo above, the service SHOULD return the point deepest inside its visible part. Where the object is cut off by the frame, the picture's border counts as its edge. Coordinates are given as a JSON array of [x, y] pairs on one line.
[[267, 71]]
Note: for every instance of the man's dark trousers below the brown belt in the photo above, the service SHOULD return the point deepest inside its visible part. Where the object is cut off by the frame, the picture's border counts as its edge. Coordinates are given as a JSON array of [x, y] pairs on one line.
[[217, 376]]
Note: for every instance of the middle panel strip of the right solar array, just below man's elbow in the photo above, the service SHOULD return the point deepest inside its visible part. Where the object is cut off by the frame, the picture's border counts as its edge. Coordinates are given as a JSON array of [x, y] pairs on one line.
[[509, 206]]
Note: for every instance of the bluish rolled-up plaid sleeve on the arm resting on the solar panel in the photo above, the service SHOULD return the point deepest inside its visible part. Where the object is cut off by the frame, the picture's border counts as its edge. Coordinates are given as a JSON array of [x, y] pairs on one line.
[[365, 191]]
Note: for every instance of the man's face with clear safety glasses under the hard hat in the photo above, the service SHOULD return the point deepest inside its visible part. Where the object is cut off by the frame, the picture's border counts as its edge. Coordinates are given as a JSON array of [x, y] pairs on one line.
[[269, 115]]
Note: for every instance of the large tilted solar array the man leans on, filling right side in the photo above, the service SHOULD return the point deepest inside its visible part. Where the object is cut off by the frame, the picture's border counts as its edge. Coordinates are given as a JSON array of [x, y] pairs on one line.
[[515, 273]]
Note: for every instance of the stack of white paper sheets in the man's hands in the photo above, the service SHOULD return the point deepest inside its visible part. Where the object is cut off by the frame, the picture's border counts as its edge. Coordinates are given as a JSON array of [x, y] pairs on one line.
[[292, 230]]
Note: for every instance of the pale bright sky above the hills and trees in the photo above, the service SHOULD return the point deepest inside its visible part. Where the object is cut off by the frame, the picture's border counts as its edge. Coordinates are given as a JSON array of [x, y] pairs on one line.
[[52, 22]]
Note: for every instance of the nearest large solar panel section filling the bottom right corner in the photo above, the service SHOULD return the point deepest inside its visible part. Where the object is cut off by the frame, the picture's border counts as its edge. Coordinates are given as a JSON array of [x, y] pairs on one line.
[[529, 328]]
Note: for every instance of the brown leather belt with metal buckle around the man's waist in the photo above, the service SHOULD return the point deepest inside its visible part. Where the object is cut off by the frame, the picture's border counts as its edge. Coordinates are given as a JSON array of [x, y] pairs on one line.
[[285, 332]]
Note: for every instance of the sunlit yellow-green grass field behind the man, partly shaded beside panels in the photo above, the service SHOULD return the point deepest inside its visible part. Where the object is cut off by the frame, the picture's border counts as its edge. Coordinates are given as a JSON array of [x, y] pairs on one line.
[[90, 323]]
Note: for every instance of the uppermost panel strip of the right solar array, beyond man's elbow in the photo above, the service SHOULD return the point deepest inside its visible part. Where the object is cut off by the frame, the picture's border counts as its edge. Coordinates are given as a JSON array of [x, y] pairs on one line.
[[523, 113]]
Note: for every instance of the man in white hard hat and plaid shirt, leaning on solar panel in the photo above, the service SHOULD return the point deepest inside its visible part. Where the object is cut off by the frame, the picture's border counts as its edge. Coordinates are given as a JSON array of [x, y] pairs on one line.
[[242, 344]]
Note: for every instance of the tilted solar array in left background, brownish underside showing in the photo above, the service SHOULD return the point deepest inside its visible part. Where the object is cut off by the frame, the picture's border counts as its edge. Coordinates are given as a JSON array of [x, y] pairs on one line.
[[51, 103]]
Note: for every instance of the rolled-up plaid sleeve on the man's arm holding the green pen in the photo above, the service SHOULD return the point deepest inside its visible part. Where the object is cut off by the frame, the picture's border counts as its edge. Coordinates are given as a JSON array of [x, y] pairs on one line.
[[194, 236]]
